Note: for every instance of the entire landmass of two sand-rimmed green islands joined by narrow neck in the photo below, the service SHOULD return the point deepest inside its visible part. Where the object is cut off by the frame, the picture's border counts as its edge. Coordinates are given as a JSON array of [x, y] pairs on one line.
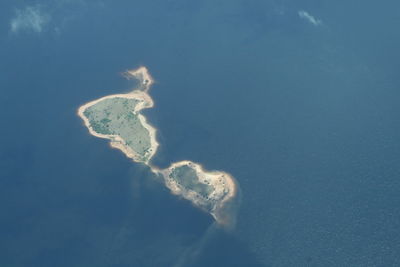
[[118, 119]]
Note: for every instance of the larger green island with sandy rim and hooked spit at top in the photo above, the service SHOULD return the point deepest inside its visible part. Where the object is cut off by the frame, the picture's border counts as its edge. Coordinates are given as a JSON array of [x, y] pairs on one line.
[[117, 117]]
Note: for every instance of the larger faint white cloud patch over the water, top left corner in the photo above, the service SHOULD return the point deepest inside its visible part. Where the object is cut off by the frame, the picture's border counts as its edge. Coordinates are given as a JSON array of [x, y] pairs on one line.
[[31, 18]]
